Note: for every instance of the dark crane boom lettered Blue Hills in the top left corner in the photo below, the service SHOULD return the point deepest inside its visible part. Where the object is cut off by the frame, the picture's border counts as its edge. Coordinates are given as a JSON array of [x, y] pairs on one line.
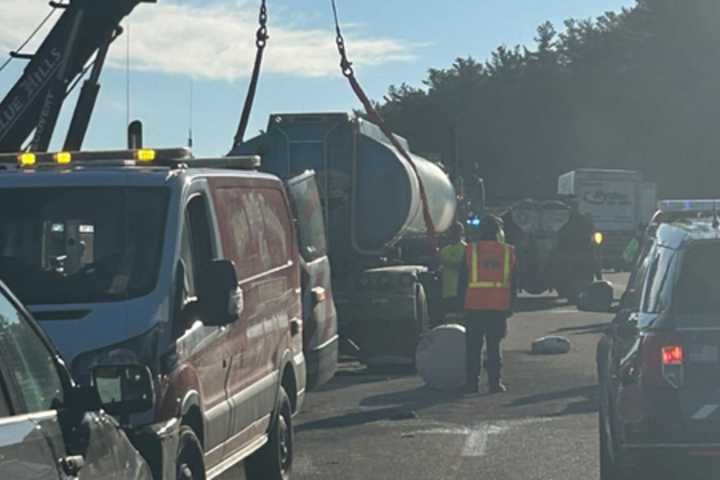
[[79, 42]]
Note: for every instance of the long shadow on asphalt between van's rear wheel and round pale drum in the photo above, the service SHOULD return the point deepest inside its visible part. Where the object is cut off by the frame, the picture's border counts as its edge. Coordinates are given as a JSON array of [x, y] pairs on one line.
[[398, 406]]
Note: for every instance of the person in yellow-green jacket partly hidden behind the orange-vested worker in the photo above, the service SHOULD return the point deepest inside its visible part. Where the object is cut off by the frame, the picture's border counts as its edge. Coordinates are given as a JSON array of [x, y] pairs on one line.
[[452, 256]]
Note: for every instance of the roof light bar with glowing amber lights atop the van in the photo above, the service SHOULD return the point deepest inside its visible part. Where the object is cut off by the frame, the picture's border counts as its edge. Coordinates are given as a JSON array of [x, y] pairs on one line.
[[144, 157]]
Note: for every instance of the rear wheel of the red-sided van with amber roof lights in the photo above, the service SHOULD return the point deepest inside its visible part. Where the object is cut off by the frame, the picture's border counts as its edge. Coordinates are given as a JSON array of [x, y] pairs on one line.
[[274, 460]]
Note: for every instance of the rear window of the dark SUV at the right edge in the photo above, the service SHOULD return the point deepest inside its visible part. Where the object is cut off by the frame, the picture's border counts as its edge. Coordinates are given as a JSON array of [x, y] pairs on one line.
[[699, 282]]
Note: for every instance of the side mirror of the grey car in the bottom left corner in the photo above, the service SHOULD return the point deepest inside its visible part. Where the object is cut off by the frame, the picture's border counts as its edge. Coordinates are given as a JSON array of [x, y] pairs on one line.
[[124, 389]]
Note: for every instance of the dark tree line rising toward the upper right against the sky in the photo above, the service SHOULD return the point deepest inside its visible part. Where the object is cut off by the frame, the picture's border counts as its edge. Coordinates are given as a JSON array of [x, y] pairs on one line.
[[636, 89]]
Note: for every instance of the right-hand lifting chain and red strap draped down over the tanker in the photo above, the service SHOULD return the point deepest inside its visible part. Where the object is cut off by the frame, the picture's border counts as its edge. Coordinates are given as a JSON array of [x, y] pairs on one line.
[[374, 115]]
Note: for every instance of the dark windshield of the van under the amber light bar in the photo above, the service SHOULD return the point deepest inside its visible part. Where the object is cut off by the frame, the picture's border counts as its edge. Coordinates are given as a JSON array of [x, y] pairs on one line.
[[81, 245]]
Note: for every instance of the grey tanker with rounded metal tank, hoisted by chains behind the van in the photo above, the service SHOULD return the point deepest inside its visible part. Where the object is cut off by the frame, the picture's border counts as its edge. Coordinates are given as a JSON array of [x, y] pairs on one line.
[[384, 265]]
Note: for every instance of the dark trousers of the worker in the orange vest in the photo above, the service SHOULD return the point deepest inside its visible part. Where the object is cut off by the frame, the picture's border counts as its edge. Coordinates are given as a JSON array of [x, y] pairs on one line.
[[481, 327]]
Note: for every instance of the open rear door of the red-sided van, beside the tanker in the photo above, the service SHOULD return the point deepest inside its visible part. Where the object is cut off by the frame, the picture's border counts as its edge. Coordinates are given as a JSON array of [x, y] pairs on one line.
[[319, 313]]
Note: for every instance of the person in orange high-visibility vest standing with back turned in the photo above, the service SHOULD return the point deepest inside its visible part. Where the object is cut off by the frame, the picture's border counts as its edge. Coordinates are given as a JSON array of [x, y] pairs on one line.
[[487, 278]]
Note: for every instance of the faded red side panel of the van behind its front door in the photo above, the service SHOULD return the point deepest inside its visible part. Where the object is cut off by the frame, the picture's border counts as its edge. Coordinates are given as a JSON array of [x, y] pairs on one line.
[[256, 235]]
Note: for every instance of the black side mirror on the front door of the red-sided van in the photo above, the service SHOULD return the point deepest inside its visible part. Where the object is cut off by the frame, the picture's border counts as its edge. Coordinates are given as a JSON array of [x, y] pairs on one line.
[[220, 297]]
